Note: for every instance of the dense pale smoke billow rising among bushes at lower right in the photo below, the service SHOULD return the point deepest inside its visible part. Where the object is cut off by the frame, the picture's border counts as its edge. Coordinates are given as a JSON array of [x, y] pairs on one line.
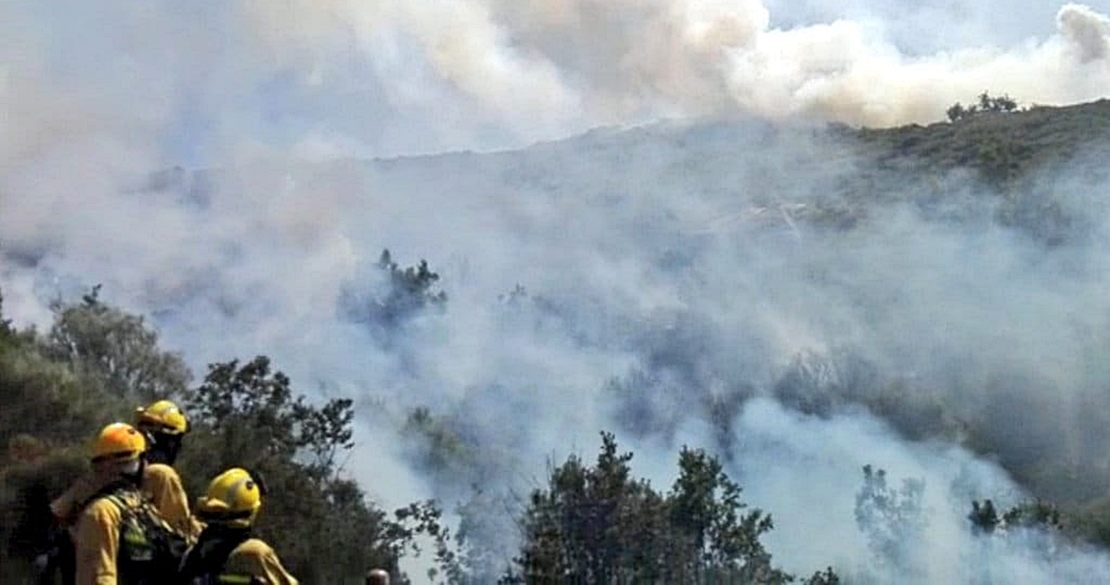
[[793, 463]]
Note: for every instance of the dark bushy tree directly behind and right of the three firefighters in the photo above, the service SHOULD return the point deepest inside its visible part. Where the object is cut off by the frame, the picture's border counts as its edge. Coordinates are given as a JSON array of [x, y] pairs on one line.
[[248, 416]]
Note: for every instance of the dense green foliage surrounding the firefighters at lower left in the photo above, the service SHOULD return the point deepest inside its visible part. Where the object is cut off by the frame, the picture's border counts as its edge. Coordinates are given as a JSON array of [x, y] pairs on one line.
[[97, 364]]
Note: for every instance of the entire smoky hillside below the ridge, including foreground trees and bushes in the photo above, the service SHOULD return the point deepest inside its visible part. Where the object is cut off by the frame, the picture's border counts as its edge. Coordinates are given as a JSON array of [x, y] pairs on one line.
[[801, 302]]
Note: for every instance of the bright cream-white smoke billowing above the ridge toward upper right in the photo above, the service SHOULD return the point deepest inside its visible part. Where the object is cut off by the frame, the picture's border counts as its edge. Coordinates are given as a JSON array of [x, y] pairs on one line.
[[539, 67]]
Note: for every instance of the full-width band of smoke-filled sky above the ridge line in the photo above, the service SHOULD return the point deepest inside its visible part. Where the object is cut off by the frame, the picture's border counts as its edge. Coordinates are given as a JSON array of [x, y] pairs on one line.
[[221, 82]]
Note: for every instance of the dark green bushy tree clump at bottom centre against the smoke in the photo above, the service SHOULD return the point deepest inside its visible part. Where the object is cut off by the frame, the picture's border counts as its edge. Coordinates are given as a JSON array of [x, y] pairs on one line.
[[599, 525]]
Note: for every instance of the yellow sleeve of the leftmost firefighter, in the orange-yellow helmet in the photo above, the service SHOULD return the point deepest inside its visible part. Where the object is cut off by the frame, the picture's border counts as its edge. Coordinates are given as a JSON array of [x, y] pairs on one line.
[[97, 541]]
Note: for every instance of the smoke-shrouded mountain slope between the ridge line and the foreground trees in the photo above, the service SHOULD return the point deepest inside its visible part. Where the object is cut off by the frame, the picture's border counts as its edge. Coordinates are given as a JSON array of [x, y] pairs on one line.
[[802, 301]]
